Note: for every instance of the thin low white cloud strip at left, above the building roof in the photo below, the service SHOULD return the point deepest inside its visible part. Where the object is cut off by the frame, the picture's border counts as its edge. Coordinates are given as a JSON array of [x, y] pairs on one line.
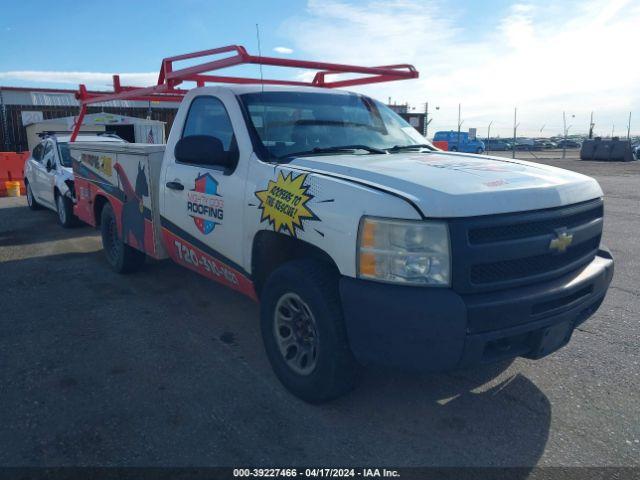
[[91, 79]]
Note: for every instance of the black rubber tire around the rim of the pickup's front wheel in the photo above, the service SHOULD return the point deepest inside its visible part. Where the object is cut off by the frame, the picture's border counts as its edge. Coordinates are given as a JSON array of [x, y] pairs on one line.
[[335, 370]]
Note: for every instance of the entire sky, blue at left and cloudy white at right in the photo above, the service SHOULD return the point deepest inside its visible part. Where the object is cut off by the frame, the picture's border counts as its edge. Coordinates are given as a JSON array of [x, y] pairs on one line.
[[489, 56]]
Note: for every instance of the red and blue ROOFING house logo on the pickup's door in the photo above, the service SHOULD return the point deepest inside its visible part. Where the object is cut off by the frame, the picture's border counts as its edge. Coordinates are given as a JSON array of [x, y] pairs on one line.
[[204, 204]]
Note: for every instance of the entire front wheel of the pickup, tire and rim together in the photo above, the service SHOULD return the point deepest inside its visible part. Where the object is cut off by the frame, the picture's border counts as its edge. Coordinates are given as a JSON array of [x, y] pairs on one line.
[[303, 331]]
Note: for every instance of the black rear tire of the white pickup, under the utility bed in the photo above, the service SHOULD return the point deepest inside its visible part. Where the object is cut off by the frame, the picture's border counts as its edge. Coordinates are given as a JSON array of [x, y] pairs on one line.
[[121, 257]]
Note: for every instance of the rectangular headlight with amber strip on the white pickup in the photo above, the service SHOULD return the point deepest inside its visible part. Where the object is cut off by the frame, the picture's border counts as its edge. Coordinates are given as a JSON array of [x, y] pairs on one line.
[[404, 251]]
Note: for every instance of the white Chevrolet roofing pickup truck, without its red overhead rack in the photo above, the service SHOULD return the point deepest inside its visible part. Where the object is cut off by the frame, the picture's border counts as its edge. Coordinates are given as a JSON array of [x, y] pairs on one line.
[[363, 243]]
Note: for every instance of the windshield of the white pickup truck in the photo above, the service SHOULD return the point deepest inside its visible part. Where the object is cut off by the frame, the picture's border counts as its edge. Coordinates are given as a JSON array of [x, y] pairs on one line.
[[288, 123]]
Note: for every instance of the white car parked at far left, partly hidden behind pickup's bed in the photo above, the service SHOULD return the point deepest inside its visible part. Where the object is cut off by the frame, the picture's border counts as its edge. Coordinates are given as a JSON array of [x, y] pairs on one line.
[[48, 174]]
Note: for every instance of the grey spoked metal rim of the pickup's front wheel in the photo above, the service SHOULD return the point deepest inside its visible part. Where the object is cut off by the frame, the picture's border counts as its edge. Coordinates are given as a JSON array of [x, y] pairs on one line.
[[296, 333]]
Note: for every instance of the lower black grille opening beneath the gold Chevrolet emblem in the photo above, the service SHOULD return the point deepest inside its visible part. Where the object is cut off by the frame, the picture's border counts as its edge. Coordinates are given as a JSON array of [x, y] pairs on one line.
[[530, 266]]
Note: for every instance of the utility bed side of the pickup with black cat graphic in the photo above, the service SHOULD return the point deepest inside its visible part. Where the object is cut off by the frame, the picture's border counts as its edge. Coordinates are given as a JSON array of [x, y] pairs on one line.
[[128, 176]]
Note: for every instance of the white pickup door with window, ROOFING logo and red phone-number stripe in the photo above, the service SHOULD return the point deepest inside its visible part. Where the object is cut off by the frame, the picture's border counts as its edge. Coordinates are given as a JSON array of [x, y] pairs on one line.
[[203, 204]]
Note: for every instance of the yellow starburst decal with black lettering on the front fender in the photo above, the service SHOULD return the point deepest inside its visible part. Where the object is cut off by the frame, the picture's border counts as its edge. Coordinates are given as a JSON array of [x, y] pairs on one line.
[[284, 203]]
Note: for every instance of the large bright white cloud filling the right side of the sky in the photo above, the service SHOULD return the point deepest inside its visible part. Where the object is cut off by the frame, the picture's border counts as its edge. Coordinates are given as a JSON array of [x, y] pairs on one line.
[[541, 57]]
